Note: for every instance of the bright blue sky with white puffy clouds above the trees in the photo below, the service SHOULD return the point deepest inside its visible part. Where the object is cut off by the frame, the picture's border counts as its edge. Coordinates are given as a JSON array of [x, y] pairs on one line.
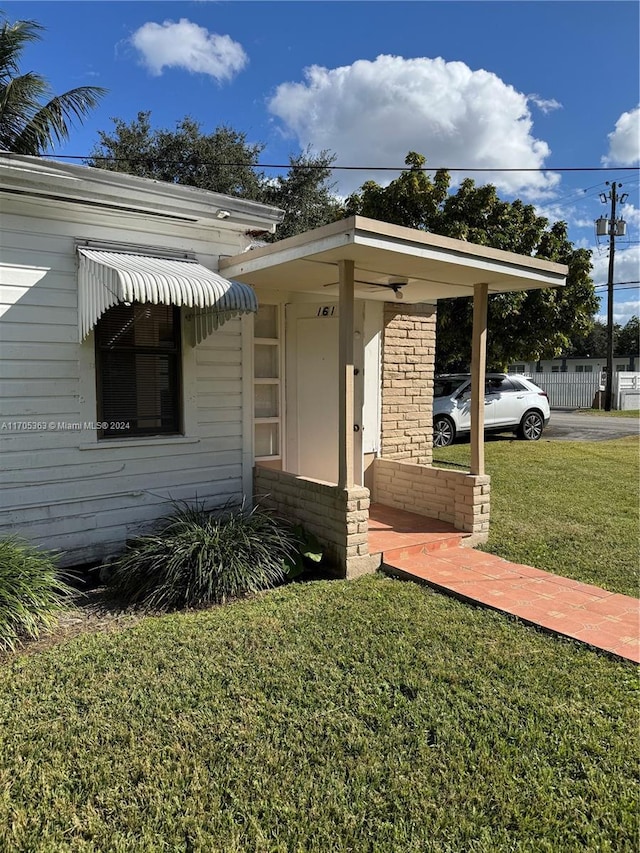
[[494, 84]]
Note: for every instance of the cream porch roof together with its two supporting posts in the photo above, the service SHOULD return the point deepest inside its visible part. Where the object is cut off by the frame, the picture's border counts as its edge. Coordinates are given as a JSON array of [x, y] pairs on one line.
[[359, 258]]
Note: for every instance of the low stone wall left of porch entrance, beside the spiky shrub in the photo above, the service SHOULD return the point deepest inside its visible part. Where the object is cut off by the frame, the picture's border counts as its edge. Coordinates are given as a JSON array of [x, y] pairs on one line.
[[338, 517]]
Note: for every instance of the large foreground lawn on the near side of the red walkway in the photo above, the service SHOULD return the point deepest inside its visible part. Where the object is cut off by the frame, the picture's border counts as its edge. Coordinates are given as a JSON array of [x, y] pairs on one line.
[[368, 716]]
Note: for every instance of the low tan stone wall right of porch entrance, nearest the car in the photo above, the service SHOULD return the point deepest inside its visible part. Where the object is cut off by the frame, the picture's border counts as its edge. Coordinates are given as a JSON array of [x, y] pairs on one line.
[[456, 497]]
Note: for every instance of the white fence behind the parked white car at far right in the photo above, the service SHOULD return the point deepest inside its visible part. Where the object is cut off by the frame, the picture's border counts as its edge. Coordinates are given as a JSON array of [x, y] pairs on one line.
[[579, 390]]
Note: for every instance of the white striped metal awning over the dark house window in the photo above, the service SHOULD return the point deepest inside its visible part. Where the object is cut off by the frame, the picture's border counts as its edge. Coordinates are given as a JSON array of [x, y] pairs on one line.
[[109, 277]]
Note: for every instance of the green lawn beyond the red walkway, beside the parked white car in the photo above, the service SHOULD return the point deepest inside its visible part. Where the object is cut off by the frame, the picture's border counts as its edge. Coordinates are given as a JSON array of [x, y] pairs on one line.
[[567, 507]]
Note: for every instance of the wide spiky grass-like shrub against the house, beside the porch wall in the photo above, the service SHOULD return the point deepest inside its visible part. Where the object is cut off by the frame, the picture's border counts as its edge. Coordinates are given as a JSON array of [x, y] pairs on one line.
[[198, 558]]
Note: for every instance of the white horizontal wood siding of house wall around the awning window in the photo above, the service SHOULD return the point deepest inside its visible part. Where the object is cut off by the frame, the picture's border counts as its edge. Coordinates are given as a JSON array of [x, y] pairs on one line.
[[63, 488]]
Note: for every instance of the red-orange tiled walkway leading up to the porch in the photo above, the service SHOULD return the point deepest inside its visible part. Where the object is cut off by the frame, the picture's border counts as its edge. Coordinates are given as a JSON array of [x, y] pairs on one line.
[[425, 549]]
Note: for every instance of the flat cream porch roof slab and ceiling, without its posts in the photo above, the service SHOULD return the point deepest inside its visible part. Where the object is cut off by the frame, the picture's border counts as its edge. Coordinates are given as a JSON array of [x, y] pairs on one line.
[[434, 267]]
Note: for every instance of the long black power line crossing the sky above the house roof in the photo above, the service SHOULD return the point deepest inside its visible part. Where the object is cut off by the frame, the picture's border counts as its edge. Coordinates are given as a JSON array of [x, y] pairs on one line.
[[347, 168]]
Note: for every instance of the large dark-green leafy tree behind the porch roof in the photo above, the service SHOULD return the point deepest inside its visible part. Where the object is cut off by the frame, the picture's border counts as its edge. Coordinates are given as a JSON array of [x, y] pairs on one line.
[[521, 325]]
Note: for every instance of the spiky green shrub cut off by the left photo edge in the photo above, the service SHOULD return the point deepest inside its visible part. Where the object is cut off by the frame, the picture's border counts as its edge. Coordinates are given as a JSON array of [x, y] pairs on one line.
[[32, 592]]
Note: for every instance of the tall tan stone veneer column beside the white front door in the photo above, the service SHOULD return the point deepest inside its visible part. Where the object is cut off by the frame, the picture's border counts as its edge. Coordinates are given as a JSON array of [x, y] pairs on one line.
[[408, 360]]
